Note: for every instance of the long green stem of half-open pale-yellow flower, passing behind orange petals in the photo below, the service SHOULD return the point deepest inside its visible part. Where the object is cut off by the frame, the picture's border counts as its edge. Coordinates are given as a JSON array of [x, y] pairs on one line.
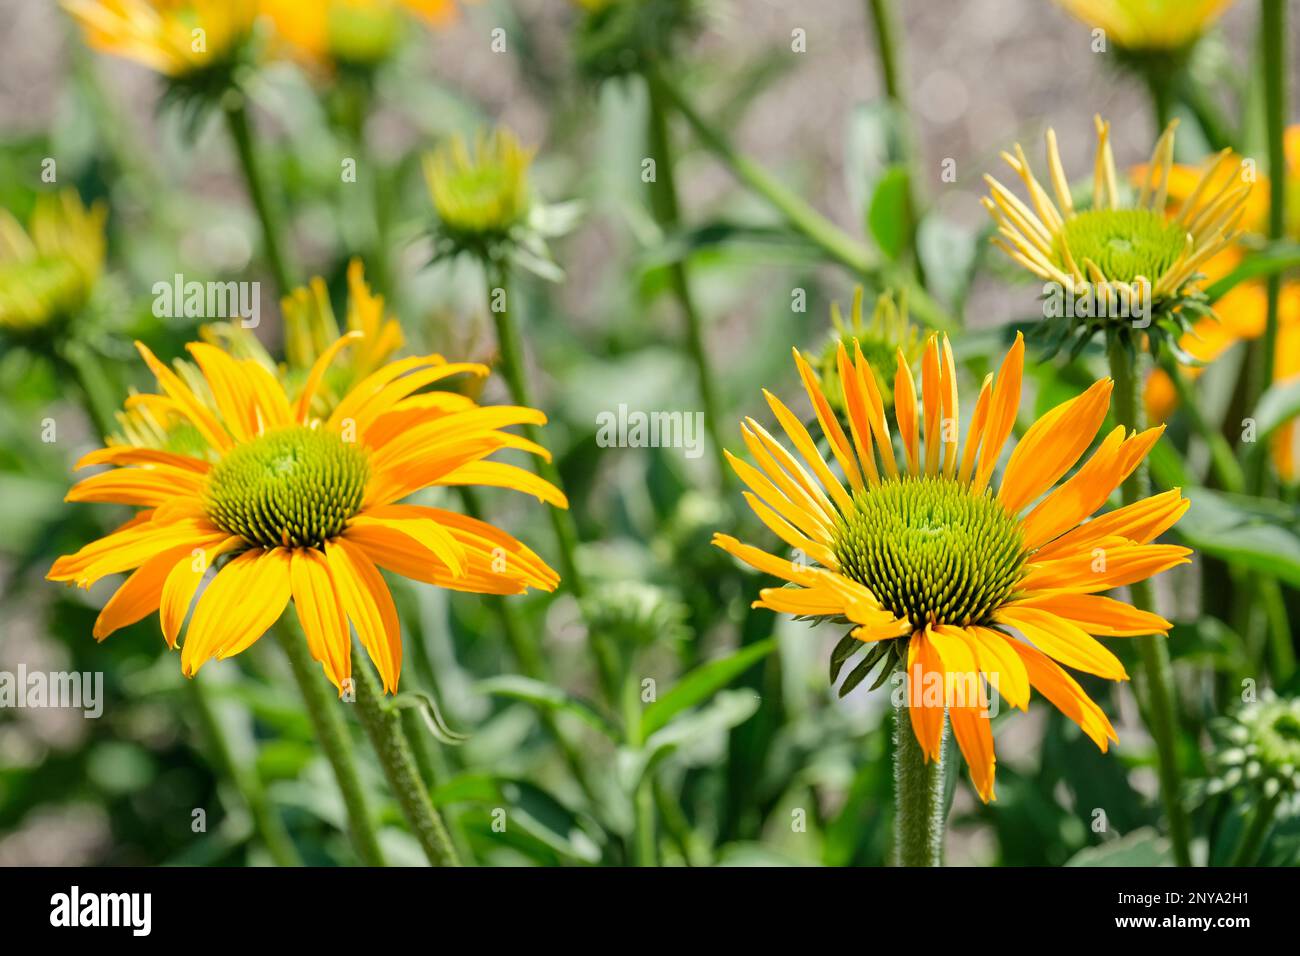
[[1160, 711]]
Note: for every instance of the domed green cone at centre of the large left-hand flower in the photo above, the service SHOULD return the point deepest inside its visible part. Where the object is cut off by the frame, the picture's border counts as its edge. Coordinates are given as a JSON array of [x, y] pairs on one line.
[[293, 488]]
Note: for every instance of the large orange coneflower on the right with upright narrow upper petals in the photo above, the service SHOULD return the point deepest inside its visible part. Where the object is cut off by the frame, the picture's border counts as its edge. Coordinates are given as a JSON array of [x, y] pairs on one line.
[[968, 582]]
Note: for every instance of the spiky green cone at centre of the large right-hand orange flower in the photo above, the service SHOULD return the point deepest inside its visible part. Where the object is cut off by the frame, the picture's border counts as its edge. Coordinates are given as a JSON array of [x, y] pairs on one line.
[[931, 551]]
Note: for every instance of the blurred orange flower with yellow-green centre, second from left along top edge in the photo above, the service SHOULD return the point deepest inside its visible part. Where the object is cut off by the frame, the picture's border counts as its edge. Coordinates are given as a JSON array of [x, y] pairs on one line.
[[359, 33]]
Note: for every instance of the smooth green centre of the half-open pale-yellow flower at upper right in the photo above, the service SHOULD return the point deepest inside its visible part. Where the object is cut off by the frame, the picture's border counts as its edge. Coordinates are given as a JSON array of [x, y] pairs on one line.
[[1124, 244]]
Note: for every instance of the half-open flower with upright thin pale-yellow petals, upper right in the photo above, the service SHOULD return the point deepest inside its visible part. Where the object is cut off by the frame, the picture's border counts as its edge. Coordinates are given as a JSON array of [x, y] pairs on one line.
[[1125, 254]]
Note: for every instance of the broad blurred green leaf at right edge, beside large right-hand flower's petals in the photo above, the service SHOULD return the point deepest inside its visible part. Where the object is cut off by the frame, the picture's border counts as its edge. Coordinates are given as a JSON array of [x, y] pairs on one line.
[[1255, 534]]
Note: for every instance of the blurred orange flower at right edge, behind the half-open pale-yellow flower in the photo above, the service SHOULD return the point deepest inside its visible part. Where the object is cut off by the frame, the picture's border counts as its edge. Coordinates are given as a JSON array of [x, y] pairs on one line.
[[1243, 310]]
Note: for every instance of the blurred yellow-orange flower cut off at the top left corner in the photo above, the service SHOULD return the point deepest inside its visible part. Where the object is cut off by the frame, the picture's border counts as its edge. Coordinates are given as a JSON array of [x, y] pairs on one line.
[[176, 38]]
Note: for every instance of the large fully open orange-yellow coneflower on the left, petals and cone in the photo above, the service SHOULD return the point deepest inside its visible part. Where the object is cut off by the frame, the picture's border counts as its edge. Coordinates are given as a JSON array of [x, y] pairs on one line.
[[304, 509]]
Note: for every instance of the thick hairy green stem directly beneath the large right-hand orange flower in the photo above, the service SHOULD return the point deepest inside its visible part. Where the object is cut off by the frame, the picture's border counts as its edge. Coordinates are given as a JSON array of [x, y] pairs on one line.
[[920, 807]]
